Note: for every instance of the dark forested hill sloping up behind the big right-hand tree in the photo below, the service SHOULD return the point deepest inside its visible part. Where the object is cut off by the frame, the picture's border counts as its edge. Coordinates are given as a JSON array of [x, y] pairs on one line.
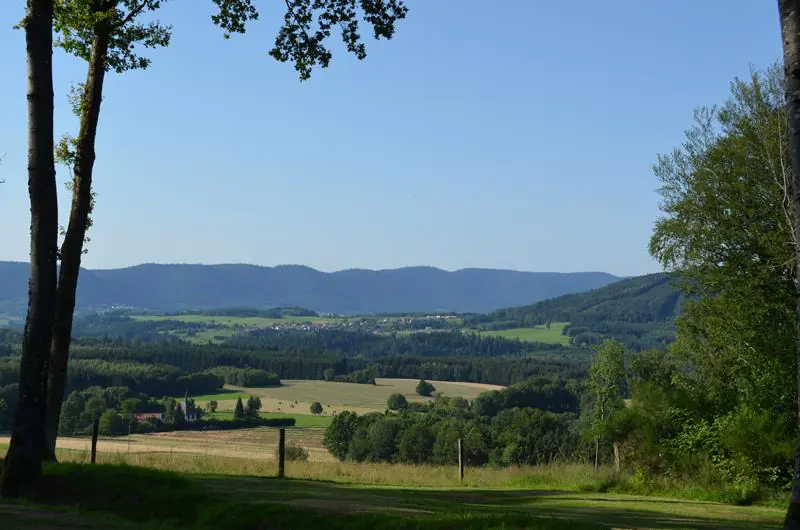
[[639, 311]]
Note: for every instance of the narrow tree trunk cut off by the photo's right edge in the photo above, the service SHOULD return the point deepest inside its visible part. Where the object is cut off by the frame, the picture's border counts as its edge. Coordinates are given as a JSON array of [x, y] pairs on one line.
[[790, 26]]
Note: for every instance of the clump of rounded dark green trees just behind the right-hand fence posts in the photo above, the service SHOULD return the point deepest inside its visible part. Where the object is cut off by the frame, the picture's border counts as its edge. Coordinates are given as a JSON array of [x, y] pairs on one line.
[[503, 428]]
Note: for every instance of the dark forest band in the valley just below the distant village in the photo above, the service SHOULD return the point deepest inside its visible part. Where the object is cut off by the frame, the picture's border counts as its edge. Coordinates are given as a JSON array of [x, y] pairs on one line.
[[371, 345]]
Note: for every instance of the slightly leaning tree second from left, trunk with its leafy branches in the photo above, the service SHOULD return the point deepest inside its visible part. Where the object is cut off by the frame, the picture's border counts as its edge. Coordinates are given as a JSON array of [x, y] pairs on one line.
[[103, 33]]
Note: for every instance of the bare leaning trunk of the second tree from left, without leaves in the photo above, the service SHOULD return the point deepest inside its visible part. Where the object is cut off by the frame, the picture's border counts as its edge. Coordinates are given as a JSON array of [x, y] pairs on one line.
[[72, 248]]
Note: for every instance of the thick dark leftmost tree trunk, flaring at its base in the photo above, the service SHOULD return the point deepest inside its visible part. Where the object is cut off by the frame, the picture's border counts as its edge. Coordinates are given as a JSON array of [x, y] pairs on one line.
[[23, 462]]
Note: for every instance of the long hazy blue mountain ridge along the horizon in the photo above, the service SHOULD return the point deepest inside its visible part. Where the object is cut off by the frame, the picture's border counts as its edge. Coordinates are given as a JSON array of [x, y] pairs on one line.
[[412, 289]]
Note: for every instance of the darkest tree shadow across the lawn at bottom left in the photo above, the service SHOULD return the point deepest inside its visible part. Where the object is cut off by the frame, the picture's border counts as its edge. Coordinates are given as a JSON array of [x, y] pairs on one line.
[[155, 499]]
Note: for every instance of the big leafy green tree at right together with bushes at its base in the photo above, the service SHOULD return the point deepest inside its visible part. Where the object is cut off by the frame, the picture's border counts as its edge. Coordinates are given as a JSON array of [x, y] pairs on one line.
[[725, 391]]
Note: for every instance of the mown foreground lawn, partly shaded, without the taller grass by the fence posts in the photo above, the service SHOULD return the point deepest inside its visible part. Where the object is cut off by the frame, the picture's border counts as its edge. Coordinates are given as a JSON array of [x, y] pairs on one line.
[[160, 499]]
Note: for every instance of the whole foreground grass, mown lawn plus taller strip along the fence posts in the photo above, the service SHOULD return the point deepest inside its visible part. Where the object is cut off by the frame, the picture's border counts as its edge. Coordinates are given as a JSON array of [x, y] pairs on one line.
[[118, 495]]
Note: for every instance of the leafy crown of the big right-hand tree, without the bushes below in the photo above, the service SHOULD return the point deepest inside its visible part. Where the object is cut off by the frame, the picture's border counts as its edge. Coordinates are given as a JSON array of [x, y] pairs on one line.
[[728, 233]]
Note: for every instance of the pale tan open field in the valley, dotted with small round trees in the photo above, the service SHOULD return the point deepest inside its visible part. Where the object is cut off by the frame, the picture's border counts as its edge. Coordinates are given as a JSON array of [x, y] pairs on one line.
[[296, 396]]
